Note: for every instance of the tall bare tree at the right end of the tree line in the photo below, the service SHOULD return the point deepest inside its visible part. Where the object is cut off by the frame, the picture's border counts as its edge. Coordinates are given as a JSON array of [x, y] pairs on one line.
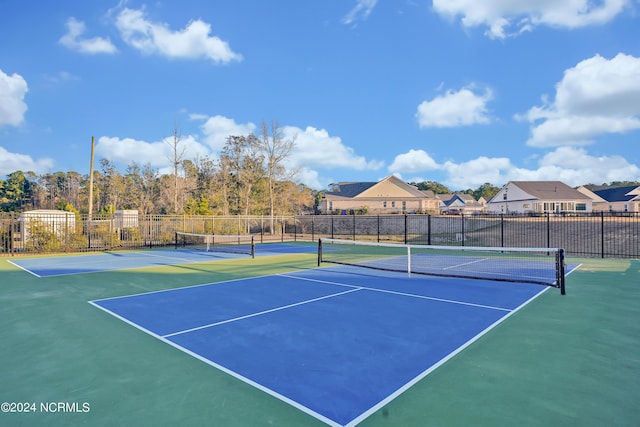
[[276, 150]]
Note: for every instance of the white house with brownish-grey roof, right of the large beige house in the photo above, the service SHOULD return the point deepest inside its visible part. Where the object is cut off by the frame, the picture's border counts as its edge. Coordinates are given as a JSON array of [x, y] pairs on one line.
[[539, 197]]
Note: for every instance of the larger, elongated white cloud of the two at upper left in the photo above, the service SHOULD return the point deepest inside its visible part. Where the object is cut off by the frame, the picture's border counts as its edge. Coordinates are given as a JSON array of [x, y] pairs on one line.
[[192, 42]]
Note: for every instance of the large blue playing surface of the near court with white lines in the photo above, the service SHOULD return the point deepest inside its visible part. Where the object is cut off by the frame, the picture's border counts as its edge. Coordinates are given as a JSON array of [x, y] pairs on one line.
[[333, 342]]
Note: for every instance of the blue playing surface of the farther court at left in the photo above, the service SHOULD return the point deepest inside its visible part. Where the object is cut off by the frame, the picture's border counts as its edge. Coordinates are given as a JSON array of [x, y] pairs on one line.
[[110, 261]]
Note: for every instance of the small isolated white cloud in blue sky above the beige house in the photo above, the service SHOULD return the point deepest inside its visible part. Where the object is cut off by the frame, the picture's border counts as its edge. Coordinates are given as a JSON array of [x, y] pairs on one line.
[[455, 109]]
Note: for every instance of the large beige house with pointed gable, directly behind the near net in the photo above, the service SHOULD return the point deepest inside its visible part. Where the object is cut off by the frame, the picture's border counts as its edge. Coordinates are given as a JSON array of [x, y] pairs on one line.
[[388, 196]]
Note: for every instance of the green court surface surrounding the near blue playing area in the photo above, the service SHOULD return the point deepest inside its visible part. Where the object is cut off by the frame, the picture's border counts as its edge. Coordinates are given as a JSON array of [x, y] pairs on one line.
[[570, 360]]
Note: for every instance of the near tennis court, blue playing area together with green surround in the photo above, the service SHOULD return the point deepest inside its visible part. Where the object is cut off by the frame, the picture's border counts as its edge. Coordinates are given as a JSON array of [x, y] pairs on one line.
[[277, 341]]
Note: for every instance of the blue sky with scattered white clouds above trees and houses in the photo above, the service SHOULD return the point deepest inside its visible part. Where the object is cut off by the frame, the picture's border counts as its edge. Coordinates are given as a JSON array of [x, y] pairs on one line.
[[461, 92]]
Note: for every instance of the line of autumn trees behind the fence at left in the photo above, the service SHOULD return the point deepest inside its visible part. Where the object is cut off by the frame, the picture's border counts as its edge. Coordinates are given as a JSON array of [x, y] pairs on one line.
[[248, 178]]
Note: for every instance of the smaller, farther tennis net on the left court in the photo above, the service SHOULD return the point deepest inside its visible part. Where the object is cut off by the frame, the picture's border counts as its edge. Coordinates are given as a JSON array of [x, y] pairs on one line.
[[235, 244]]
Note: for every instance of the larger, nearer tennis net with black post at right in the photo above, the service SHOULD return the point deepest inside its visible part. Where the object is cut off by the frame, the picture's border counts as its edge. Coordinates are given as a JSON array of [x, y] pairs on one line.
[[525, 265]]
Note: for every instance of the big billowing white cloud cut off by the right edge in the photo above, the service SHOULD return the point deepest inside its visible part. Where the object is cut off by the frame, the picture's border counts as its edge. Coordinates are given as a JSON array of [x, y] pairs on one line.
[[597, 96]]
